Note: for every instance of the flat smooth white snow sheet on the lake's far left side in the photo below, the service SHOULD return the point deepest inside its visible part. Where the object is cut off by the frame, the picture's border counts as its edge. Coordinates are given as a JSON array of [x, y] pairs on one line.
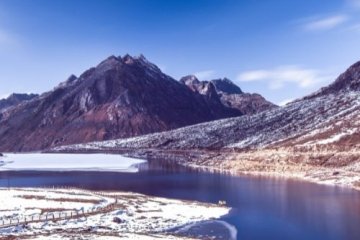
[[69, 162]]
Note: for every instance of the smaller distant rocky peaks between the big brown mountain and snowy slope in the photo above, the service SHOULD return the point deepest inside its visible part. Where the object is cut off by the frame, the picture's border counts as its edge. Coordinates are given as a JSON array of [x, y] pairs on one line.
[[229, 94]]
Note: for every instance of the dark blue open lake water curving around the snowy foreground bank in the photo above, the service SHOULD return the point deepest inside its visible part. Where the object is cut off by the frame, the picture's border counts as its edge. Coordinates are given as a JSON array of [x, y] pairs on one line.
[[263, 208]]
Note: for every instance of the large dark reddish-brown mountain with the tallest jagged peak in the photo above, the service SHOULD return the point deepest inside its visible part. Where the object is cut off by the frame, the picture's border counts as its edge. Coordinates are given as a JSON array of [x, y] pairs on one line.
[[121, 97]]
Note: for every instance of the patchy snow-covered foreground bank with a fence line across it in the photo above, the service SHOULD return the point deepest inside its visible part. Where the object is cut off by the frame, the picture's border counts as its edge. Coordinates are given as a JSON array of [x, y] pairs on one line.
[[135, 213]]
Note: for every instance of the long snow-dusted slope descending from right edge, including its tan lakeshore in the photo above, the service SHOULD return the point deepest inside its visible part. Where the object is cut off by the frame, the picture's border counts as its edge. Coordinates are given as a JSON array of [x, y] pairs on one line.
[[316, 138]]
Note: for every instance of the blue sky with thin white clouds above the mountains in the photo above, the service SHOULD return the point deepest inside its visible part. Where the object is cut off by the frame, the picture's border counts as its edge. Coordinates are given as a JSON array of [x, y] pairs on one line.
[[279, 48]]
